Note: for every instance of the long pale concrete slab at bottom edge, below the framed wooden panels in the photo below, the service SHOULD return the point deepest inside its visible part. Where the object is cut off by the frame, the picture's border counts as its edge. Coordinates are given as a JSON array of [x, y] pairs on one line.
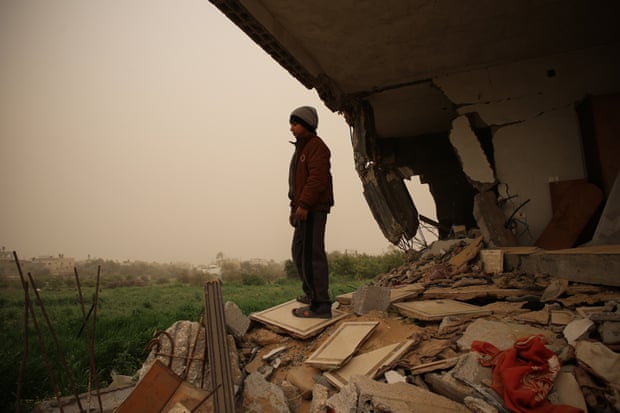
[[364, 394]]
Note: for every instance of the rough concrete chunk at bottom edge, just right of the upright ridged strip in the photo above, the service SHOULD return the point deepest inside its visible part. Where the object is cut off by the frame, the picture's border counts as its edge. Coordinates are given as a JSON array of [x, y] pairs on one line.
[[258, 392]]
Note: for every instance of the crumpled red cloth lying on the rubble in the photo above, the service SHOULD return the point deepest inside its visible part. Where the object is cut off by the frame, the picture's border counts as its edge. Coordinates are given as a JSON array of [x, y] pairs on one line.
[[523, 375]]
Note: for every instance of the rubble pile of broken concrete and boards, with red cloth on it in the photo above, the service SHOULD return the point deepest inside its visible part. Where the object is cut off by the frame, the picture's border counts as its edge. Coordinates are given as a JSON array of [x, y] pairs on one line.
[[466, 337]]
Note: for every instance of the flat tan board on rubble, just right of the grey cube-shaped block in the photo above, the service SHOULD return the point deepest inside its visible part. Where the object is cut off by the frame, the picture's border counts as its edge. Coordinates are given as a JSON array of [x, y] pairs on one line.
[[433, 310]]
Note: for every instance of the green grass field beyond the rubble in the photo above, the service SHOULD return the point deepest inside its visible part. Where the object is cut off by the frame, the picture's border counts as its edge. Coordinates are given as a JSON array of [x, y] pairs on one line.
[[126, 319]]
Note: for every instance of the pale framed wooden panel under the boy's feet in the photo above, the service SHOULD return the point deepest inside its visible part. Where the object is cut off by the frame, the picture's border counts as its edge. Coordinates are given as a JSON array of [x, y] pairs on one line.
[[281, 317]]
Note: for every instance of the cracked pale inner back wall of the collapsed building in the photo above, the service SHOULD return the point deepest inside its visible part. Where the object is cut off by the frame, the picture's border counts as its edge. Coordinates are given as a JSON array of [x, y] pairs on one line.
[[530, 108]]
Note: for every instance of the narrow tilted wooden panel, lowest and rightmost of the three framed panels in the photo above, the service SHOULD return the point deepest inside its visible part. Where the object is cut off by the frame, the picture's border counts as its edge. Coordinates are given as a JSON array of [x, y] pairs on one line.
[[368, 364]]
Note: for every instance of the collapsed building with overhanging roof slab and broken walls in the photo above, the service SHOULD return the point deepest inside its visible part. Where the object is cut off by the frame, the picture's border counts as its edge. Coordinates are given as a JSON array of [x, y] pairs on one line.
[[507, 106]]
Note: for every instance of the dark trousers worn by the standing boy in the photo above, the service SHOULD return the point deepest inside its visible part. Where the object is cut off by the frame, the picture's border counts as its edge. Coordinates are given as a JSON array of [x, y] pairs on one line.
[[309, 256]]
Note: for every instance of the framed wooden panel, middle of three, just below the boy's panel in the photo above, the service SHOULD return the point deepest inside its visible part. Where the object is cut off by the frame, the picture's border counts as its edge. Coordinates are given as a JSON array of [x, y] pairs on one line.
[[341, 345]]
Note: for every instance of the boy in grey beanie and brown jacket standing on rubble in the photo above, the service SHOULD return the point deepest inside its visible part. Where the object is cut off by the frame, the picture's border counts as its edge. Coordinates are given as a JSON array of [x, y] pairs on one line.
[[311, 198]]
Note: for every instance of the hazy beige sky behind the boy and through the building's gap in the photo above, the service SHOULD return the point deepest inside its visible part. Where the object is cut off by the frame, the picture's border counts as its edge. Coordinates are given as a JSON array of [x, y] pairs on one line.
[[158, 131]]
